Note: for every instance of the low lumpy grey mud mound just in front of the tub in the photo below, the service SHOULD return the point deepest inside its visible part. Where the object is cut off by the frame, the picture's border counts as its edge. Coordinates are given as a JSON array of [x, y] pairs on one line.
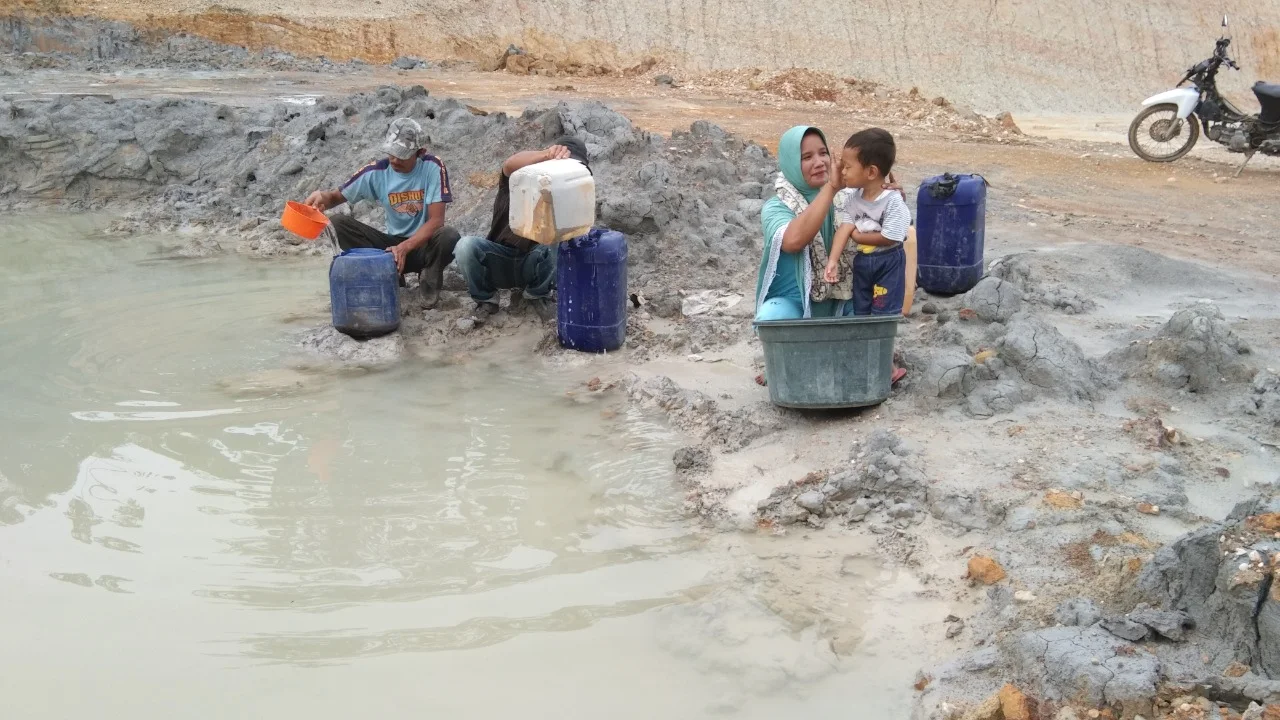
[[886, 481]]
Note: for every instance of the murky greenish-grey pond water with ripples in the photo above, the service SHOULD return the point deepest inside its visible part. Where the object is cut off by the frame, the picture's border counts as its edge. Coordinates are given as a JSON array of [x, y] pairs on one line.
[[193, 525]]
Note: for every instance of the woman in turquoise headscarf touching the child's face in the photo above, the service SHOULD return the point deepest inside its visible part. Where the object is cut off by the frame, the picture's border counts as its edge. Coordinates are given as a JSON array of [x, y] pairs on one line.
[[799, 224]]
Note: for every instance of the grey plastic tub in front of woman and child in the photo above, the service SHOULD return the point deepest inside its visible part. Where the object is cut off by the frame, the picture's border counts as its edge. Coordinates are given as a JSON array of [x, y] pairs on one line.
[[830, 362]]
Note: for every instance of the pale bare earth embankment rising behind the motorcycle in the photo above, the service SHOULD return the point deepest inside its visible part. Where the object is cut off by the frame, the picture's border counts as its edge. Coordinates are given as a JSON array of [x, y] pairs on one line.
[[1087, 56]]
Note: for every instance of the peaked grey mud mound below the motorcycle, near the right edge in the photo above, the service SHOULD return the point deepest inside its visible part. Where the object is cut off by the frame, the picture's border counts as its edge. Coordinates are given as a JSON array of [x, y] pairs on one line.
[[1196, 350]]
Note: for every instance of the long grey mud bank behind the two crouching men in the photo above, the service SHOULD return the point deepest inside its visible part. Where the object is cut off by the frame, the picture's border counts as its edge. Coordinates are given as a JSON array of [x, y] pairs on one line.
[[188, 163]]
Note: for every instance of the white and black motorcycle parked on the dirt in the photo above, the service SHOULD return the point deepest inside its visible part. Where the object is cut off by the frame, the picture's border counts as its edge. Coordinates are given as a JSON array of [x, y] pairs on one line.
[[1172, 122]]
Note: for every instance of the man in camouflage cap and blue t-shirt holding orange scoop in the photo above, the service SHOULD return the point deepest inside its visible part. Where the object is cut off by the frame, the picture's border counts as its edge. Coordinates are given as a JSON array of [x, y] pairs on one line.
[[413, 188]]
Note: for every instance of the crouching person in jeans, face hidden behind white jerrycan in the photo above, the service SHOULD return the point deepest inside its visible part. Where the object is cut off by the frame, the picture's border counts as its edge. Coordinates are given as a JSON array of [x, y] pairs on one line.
[[504, 261]]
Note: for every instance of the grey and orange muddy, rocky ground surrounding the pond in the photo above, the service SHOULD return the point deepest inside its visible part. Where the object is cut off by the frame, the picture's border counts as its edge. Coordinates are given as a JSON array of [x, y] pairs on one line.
[[1081, 463]]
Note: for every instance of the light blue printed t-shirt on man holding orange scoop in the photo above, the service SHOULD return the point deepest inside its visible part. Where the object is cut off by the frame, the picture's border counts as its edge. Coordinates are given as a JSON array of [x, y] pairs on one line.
[[405, 197]]
